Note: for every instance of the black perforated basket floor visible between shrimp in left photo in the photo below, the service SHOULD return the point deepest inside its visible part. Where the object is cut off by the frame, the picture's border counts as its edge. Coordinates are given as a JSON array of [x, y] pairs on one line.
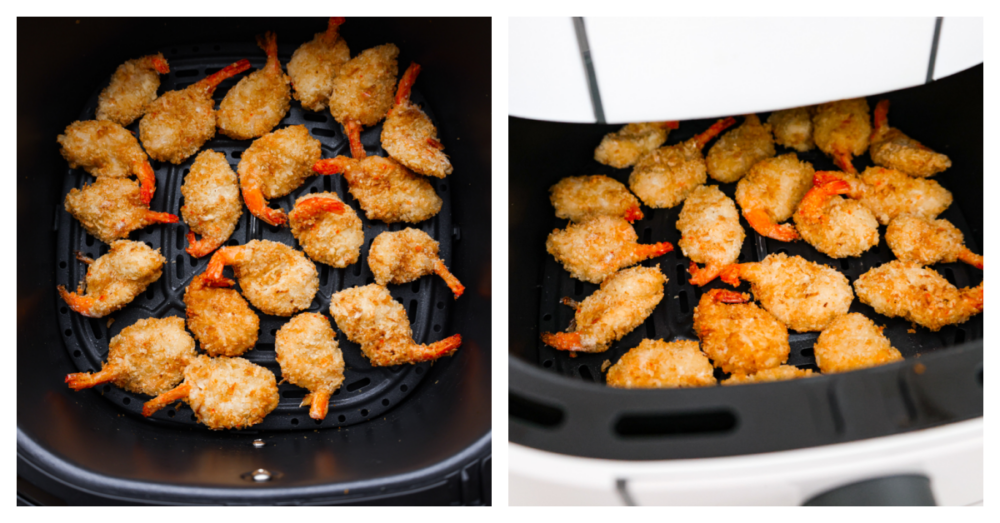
[[367, 392]]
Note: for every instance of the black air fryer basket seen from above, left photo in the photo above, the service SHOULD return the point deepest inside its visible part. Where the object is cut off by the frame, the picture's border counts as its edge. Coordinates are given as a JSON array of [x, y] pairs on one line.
[[413, 434]]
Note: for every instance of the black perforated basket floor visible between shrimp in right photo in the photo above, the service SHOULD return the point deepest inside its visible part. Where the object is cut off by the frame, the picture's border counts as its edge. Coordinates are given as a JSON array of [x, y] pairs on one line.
[[673, 317]]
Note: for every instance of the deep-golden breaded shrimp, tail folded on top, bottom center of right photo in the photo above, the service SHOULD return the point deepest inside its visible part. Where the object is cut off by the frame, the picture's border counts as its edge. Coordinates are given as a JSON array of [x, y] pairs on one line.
[[739, 336]]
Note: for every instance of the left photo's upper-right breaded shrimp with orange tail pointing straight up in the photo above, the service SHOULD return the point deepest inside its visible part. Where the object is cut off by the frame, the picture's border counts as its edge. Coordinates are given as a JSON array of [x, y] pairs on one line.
[[410, 137]]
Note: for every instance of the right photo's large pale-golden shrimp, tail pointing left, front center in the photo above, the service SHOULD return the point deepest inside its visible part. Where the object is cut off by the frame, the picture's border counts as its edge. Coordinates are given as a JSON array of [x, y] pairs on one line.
[[803, 295]]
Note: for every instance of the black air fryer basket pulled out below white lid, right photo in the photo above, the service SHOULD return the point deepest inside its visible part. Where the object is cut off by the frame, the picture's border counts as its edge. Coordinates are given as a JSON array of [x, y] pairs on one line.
[[559, 403]]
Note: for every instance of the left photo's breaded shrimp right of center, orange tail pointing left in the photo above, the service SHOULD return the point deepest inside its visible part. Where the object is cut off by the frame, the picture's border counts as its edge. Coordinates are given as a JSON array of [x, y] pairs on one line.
[[386, 190]]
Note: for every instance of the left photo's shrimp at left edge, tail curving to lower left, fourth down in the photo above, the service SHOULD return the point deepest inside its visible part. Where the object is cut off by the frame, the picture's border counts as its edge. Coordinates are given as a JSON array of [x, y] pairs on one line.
[[115, 279]]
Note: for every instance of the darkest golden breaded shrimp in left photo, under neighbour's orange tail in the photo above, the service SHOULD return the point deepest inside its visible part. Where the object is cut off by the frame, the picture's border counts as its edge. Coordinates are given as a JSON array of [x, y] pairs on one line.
[[220, 318]]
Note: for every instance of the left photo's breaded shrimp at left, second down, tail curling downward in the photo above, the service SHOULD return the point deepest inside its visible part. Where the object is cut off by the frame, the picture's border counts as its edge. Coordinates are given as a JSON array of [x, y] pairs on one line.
[[107, 149]]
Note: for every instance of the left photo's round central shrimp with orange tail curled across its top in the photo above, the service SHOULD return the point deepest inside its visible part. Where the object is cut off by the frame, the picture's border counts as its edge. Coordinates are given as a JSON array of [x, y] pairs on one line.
[[328, 229]]
